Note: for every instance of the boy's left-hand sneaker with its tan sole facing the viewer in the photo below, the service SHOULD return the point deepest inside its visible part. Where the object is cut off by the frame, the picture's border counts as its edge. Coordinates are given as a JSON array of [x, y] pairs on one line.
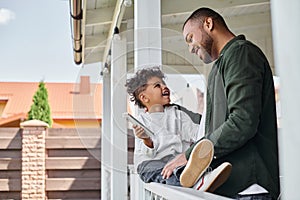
[[198, 162]]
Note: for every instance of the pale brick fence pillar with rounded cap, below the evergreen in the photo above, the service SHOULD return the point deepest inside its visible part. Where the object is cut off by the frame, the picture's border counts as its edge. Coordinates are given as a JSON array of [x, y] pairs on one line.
[[33, 159]]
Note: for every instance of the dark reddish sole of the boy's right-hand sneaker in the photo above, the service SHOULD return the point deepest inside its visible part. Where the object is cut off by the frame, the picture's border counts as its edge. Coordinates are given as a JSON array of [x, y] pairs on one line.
[[220, 178]]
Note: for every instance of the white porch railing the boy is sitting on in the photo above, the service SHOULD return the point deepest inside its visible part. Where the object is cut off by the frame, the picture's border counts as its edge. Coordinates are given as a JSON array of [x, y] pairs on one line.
[[157, 191]]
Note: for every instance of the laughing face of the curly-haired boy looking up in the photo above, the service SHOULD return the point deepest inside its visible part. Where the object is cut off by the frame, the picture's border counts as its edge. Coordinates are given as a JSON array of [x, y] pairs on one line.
[[156, 92]]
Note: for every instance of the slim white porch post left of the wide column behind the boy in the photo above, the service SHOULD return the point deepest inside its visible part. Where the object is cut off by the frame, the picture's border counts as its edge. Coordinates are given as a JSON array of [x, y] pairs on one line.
[[119, 171]]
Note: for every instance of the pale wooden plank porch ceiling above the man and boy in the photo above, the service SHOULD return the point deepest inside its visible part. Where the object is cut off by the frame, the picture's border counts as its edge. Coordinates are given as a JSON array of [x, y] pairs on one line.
[[100, 18]]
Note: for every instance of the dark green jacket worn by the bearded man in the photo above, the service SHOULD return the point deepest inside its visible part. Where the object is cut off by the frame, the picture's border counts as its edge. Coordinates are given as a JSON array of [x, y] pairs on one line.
[[241, 118]]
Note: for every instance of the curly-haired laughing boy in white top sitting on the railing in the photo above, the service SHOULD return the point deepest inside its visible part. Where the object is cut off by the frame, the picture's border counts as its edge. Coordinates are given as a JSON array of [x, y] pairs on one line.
[[173, 131]]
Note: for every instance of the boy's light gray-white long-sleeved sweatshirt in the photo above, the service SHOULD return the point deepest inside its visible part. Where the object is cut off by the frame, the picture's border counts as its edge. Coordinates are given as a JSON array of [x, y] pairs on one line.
[[174, 131]]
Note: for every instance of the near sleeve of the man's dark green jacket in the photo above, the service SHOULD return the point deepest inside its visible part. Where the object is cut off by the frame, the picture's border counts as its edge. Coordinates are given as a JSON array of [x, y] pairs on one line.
[[243, 72]]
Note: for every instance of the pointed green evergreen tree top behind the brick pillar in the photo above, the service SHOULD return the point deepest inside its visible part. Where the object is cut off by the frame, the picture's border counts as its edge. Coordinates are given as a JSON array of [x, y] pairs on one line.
[[40, 108]]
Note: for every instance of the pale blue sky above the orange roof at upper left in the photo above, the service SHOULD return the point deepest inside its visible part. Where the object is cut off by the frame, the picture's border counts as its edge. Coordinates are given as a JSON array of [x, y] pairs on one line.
[[36, 43]]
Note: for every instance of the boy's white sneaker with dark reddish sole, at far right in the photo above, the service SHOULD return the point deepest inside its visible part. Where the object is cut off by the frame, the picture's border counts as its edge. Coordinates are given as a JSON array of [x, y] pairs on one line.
[[210, 181]]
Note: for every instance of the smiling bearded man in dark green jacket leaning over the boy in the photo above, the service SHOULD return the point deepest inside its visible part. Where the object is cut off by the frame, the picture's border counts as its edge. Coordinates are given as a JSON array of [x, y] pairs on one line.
[[241, 113]]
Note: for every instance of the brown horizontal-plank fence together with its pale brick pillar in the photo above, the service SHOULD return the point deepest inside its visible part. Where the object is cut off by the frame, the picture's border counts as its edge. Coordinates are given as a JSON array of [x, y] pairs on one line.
[[41, 163]]
